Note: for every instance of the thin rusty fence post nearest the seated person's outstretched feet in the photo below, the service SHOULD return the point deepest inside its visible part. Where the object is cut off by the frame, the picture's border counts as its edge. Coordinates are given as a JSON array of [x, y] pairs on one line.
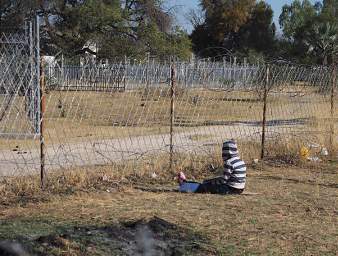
[[172, 115]]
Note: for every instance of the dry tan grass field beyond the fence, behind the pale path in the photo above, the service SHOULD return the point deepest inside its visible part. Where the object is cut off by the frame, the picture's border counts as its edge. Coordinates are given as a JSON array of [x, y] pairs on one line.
[[73, 117]]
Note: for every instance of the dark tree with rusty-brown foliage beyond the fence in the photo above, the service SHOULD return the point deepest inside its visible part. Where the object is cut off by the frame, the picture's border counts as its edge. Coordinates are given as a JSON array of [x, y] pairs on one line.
[[234, 26]]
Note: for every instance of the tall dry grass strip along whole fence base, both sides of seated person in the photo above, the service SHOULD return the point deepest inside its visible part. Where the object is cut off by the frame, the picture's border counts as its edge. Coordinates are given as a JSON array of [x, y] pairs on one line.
[[146, 171]]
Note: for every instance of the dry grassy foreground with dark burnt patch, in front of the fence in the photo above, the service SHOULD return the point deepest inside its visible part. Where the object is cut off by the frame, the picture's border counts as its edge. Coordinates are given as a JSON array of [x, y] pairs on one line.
[[290, 211]]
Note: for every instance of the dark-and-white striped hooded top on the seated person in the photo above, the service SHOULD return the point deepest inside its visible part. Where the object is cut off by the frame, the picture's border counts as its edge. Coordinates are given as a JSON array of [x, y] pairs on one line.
[[234, 167]]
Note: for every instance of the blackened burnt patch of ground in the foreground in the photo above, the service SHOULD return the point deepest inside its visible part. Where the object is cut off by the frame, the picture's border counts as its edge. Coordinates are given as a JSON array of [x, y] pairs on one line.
[[155, 236]]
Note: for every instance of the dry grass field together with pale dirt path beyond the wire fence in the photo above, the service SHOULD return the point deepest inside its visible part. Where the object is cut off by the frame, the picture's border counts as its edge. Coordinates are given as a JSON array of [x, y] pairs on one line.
[[90, 128]]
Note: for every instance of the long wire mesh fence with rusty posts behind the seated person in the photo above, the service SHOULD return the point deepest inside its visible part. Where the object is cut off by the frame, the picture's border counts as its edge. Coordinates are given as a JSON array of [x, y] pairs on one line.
[[136, 112]]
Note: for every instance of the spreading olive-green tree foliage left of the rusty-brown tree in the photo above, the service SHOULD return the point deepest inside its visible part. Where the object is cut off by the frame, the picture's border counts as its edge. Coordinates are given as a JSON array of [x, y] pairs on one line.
[[131, 27]]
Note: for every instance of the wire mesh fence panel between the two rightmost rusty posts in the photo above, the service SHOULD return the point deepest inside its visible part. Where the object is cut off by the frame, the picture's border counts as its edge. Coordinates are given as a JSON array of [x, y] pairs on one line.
[[299, 110]]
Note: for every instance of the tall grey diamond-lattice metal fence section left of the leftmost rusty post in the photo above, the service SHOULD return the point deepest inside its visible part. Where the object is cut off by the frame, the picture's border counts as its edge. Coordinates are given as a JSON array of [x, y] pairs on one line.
[[19, 90]]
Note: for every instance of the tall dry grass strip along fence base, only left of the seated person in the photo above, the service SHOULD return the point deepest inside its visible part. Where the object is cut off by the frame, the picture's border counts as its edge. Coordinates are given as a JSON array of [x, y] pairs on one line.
[[19, 189]]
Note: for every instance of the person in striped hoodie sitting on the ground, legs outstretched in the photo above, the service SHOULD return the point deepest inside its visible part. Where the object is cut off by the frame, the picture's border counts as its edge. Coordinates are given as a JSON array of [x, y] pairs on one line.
[[232, 181]]
